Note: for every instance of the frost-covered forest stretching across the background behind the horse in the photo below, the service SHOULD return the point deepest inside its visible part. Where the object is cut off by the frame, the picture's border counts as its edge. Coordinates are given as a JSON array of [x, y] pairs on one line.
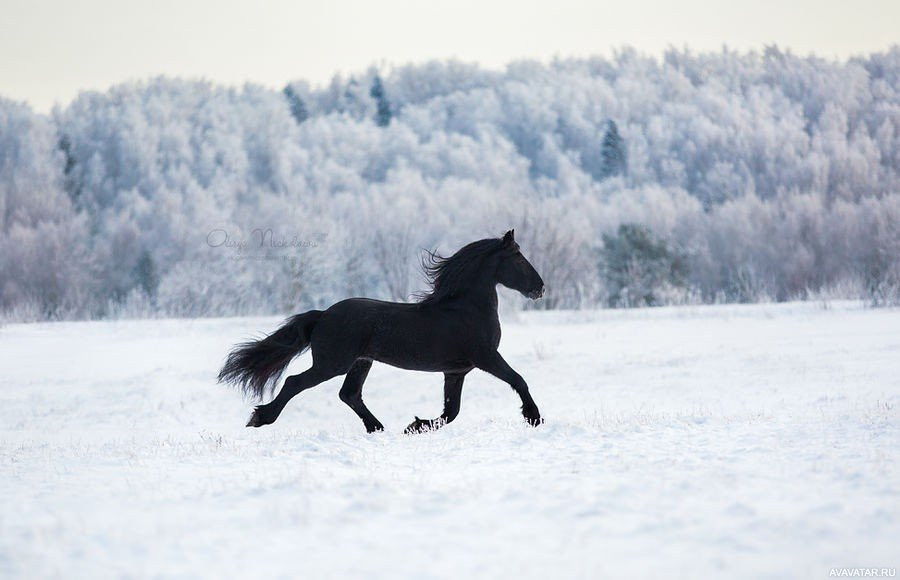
[[630, 180]]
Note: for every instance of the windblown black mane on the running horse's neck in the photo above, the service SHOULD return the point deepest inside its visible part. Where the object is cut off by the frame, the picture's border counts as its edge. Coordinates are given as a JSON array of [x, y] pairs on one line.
[[447, 276]]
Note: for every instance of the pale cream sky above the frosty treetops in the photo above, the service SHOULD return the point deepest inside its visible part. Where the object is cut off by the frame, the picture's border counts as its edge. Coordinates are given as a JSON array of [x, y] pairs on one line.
[[52, 49]]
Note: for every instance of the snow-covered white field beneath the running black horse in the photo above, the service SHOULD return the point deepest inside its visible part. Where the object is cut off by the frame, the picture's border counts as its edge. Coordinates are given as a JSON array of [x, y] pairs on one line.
[[734, 441]]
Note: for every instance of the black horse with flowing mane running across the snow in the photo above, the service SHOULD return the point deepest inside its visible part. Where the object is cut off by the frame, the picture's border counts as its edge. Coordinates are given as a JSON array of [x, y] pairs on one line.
[[452, 330]]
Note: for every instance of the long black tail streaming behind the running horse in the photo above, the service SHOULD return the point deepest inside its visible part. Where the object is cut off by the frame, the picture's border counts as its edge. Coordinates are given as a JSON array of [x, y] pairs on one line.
[[258, 364]]
